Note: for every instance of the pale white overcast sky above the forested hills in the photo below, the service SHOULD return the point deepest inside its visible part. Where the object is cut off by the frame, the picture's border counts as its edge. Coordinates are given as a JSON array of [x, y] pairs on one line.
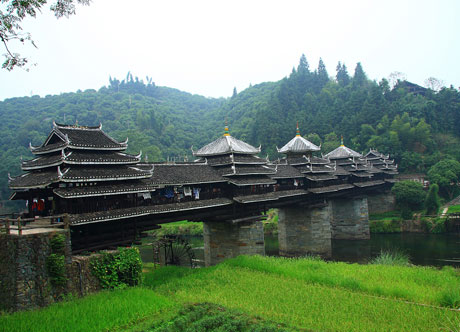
[[209, 47]]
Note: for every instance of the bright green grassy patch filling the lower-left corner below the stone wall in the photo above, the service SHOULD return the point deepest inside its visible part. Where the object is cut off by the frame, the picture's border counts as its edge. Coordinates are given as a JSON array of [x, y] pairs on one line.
[[104, 311]]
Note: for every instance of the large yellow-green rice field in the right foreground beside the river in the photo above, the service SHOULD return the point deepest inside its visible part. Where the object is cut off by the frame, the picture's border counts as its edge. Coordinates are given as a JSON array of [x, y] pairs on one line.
[[320, 296]]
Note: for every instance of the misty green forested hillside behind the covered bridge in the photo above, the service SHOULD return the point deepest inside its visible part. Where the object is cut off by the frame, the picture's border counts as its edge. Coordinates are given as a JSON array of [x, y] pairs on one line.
[[417, 126]]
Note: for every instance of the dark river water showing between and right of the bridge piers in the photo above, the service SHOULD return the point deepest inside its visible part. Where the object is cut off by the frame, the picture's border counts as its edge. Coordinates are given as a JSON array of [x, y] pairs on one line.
[[422, 249]]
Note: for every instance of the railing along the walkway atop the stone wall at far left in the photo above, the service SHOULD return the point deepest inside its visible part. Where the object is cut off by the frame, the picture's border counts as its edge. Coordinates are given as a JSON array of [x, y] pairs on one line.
[[18, 225]]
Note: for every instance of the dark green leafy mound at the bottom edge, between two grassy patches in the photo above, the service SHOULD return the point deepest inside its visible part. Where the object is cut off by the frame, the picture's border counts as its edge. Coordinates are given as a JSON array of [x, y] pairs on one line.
[[212, 317]]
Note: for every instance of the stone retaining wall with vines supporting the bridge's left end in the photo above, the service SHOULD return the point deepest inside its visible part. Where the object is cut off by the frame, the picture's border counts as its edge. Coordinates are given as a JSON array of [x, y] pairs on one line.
[[24, 278]]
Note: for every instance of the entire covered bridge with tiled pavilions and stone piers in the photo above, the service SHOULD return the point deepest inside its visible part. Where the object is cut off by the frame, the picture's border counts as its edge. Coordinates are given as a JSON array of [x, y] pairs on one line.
[[112, 197]]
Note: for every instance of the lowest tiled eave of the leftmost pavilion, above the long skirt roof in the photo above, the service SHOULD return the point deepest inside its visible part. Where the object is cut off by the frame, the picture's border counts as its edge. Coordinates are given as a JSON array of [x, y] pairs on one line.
[[89, 191]]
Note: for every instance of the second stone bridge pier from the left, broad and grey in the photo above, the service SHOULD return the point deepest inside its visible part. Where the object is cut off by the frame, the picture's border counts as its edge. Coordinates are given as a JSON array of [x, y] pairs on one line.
[[305, 230]]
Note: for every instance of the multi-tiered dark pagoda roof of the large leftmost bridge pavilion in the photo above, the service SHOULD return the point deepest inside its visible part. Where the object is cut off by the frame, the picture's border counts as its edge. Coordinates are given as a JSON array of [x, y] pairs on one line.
[[76, 154]]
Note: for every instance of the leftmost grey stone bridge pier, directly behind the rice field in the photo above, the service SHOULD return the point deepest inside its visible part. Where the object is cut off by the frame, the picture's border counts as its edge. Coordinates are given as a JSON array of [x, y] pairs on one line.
[[227, 239]]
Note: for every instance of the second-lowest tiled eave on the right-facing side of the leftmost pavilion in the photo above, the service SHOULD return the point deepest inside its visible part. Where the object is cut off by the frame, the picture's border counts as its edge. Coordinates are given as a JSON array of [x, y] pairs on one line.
[[81, 174]]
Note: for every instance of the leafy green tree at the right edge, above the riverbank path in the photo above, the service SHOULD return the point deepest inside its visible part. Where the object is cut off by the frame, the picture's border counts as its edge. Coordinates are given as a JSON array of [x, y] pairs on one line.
[[446, 174]]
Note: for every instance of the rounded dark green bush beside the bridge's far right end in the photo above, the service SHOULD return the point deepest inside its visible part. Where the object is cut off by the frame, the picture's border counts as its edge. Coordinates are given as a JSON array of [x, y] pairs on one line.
[[409, 195]]
